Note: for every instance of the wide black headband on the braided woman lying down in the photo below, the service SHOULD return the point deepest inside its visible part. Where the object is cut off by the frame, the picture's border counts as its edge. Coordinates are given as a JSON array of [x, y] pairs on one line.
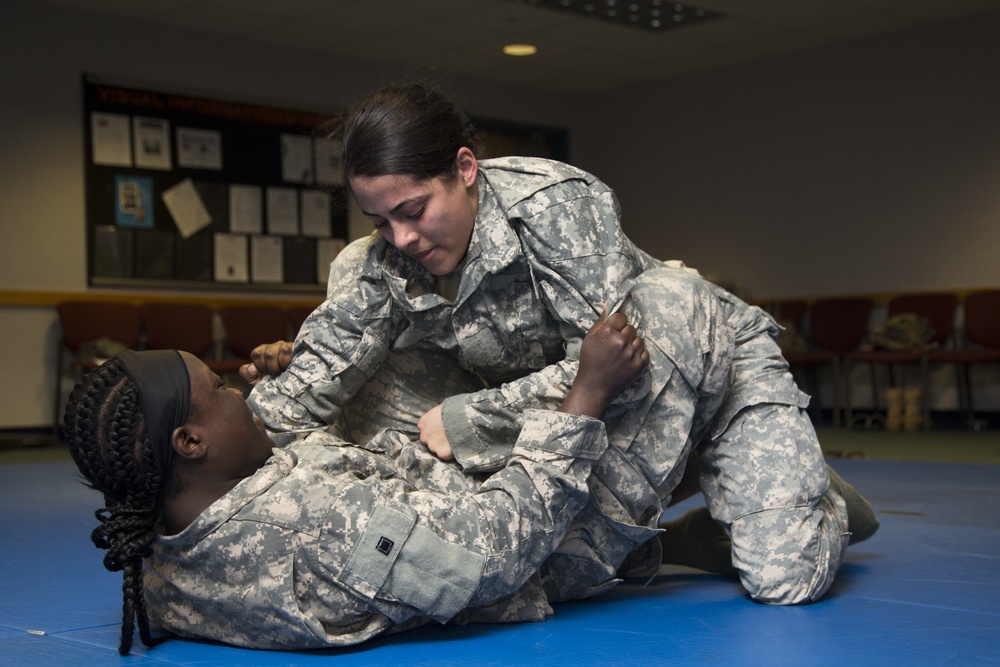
[[164, 387]]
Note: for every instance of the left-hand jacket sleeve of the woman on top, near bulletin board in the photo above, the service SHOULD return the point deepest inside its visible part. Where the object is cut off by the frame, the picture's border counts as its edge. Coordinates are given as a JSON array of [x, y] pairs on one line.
[[339, 347]]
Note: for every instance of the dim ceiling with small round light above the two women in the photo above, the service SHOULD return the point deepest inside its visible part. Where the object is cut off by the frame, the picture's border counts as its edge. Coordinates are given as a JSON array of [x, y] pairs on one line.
[[576, 54]]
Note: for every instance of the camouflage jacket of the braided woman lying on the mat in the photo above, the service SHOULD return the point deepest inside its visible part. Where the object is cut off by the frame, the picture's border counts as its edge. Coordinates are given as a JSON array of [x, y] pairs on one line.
[[329, 544]]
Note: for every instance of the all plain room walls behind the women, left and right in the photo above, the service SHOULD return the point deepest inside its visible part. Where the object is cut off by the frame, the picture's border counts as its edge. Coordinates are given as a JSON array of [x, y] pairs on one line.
[[865, 167]]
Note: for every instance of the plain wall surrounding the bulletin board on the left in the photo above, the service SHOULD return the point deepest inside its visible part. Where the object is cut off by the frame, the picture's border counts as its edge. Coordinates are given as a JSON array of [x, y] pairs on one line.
[[45, 52]]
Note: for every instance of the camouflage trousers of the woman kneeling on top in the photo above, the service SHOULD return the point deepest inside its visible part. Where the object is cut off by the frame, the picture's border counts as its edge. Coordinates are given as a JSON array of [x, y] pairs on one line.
[[717, 384]]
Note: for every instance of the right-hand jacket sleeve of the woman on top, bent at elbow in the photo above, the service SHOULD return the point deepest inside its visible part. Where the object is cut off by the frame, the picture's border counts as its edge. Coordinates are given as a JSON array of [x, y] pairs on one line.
[[581, 261]]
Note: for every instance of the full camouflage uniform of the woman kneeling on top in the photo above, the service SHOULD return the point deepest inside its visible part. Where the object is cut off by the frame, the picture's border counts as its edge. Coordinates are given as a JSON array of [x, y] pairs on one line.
[[547, 253]]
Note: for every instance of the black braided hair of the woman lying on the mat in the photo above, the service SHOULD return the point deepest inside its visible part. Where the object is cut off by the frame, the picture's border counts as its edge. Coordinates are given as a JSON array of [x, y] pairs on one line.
[[106, 434]]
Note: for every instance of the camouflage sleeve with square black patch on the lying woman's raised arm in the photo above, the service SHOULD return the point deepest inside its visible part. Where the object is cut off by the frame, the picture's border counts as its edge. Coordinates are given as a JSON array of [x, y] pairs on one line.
[[436, 553]]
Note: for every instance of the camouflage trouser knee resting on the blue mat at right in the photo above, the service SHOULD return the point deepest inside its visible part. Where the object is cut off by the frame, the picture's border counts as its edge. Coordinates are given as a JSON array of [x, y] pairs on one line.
[[790, 555]]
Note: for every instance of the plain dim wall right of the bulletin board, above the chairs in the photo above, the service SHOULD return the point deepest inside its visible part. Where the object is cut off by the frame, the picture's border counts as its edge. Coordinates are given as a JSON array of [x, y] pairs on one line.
[[871, 166]]
